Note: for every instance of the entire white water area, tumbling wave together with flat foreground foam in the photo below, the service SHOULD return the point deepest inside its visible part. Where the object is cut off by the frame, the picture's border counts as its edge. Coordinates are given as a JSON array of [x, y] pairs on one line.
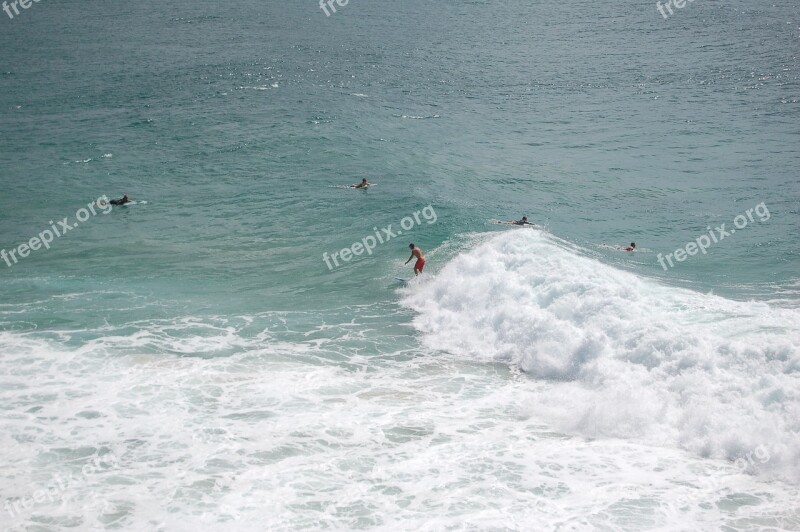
[[549, 390]]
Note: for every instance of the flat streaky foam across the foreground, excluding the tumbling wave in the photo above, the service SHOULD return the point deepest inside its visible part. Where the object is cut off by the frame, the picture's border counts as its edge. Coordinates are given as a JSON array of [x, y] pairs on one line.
[[340, 422]]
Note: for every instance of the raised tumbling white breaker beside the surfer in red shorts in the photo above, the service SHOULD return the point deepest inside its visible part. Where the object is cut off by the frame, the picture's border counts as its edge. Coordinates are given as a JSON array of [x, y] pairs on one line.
[[615, 355]]
